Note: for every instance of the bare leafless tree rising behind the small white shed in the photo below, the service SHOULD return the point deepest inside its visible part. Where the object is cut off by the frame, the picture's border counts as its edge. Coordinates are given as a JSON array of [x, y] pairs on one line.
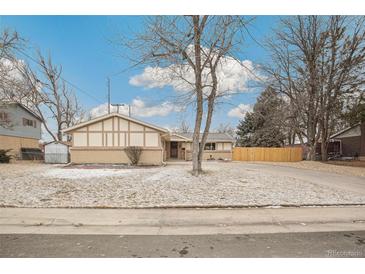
[[50, 98]]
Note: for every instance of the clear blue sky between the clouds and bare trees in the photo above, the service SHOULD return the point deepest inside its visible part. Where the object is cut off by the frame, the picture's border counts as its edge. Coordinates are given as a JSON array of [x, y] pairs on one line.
[[81, 44]]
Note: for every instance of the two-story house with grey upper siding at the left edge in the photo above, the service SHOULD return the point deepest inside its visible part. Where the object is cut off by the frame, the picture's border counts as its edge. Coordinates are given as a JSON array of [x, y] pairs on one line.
[[20, 128]]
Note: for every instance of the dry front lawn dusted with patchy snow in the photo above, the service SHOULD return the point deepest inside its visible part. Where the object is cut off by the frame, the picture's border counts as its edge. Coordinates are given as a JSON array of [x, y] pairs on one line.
[[223, 184]]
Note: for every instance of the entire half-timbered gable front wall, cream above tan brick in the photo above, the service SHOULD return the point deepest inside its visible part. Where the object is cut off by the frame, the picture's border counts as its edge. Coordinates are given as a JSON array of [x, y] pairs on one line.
[[105, 141]]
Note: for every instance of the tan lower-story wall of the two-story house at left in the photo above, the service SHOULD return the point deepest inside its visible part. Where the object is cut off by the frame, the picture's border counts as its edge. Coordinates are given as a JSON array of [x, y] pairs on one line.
[[16, 143]]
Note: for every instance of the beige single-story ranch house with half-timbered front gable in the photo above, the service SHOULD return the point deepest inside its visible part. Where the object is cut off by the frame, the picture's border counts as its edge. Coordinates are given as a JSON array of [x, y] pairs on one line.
[[104, 139]]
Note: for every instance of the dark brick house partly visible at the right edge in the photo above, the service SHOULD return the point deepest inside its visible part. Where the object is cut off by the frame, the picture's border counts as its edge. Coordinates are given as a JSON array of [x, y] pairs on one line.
[[350, 142]]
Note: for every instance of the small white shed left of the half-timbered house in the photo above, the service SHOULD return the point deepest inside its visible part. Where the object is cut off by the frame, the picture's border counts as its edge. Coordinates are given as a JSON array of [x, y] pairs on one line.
[[56, 153]]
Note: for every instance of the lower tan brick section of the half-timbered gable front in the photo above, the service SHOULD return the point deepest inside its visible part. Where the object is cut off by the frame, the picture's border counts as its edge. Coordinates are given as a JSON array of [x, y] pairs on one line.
[[113, 156]]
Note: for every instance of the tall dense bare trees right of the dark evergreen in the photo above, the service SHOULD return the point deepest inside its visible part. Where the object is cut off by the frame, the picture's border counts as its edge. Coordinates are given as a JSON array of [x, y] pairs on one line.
[[317, 60]]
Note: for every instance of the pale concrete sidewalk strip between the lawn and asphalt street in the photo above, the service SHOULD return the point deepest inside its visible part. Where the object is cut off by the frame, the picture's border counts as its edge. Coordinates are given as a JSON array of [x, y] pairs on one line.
[[180, 221]]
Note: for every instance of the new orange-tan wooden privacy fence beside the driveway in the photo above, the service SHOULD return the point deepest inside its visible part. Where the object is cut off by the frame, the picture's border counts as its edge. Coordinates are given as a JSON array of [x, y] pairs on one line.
[[268, 154]]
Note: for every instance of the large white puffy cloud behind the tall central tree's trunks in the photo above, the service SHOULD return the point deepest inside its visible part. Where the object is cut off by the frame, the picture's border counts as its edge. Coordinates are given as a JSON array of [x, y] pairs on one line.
[[233, 76]]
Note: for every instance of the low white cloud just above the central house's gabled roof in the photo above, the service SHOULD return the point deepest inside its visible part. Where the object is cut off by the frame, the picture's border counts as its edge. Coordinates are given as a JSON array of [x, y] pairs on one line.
[[138, 108]]
